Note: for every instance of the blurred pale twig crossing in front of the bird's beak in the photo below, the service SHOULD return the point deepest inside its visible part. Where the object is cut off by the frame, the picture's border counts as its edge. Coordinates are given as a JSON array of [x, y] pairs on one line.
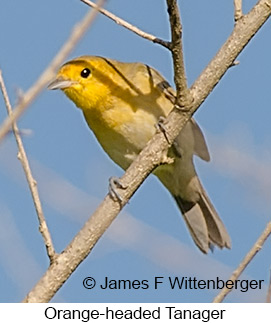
[[76, 34]]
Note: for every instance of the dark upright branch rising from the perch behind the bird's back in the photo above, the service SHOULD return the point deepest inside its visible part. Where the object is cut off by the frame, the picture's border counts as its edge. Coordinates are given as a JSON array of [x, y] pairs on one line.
[[183, 97]]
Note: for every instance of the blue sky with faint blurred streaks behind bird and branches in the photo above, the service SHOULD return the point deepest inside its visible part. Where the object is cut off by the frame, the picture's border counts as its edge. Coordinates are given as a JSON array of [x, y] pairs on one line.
[[149, 237]]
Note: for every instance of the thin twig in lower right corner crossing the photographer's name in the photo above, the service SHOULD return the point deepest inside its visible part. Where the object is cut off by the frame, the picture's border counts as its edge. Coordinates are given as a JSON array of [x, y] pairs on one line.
[[250, 255]]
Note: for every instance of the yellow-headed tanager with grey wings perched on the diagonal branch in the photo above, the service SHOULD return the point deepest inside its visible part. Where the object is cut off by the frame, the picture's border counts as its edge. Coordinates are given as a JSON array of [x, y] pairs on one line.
[[122, 104]]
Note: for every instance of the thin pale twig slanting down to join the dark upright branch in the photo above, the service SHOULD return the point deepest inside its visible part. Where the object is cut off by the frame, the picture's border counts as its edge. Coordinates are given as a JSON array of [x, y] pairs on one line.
[[127, 25]]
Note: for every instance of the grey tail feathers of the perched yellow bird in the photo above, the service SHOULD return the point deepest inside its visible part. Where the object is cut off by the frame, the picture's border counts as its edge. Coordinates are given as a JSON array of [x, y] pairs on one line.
[[204, 223]]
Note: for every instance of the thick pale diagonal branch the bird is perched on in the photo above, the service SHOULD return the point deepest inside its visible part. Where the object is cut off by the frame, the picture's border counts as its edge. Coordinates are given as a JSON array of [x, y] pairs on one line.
[[151, 156]]
